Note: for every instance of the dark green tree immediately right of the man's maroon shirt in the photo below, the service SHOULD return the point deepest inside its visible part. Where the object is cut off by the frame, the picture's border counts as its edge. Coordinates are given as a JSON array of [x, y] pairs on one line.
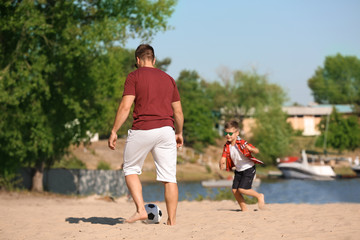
[[198, 123]]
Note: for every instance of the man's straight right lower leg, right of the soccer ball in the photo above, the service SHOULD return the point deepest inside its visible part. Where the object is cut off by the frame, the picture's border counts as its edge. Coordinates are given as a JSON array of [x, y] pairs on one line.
[[171, 200]]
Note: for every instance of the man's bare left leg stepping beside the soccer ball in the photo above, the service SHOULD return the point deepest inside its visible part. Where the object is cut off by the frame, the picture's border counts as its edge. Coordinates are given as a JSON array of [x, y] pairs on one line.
[[134, 185]]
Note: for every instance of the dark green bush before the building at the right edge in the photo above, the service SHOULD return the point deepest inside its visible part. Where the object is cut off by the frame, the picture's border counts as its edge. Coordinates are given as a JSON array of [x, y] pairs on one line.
[[343, 132]]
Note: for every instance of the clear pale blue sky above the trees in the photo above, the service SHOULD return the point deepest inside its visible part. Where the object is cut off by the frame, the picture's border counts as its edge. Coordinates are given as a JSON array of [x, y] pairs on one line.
[[286, 40]]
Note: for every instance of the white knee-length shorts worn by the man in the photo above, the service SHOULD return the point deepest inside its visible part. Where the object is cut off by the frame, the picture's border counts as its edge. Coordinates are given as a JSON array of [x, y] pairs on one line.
[[161, 143]]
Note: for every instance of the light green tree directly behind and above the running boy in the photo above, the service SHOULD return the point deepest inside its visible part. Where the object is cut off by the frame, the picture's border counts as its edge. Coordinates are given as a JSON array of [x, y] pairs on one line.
[[251, 95]]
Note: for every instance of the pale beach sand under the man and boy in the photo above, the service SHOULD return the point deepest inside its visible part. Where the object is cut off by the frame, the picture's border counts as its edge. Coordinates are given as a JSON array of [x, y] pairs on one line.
[[43, 217]]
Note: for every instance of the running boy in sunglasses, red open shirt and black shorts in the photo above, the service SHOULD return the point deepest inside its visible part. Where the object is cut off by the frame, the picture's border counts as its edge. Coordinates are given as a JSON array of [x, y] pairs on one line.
[[237, 154]]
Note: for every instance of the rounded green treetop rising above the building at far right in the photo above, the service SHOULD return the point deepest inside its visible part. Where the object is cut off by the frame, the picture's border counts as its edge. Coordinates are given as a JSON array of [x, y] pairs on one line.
[[338, 82]]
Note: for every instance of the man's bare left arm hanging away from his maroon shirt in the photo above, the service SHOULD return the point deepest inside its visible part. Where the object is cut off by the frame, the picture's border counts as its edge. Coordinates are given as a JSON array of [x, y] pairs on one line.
[[121, 116]]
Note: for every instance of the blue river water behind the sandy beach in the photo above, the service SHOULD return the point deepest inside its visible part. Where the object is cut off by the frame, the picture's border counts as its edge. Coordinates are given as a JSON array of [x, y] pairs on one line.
[[275, 191]]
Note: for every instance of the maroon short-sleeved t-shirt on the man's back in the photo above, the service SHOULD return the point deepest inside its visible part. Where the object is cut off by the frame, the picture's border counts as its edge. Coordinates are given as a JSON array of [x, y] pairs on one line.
[[154, 91]]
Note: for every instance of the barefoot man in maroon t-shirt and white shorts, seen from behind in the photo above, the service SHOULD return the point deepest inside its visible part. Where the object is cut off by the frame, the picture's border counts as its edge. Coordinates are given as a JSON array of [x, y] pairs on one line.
[[157, 107]]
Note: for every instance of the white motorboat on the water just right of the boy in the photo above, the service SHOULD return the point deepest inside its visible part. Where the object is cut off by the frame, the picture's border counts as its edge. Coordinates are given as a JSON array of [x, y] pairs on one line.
[[303, 170]]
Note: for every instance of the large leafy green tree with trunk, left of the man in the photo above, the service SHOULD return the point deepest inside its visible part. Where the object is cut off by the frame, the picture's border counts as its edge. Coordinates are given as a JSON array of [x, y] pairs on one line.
[[55, 85]]
